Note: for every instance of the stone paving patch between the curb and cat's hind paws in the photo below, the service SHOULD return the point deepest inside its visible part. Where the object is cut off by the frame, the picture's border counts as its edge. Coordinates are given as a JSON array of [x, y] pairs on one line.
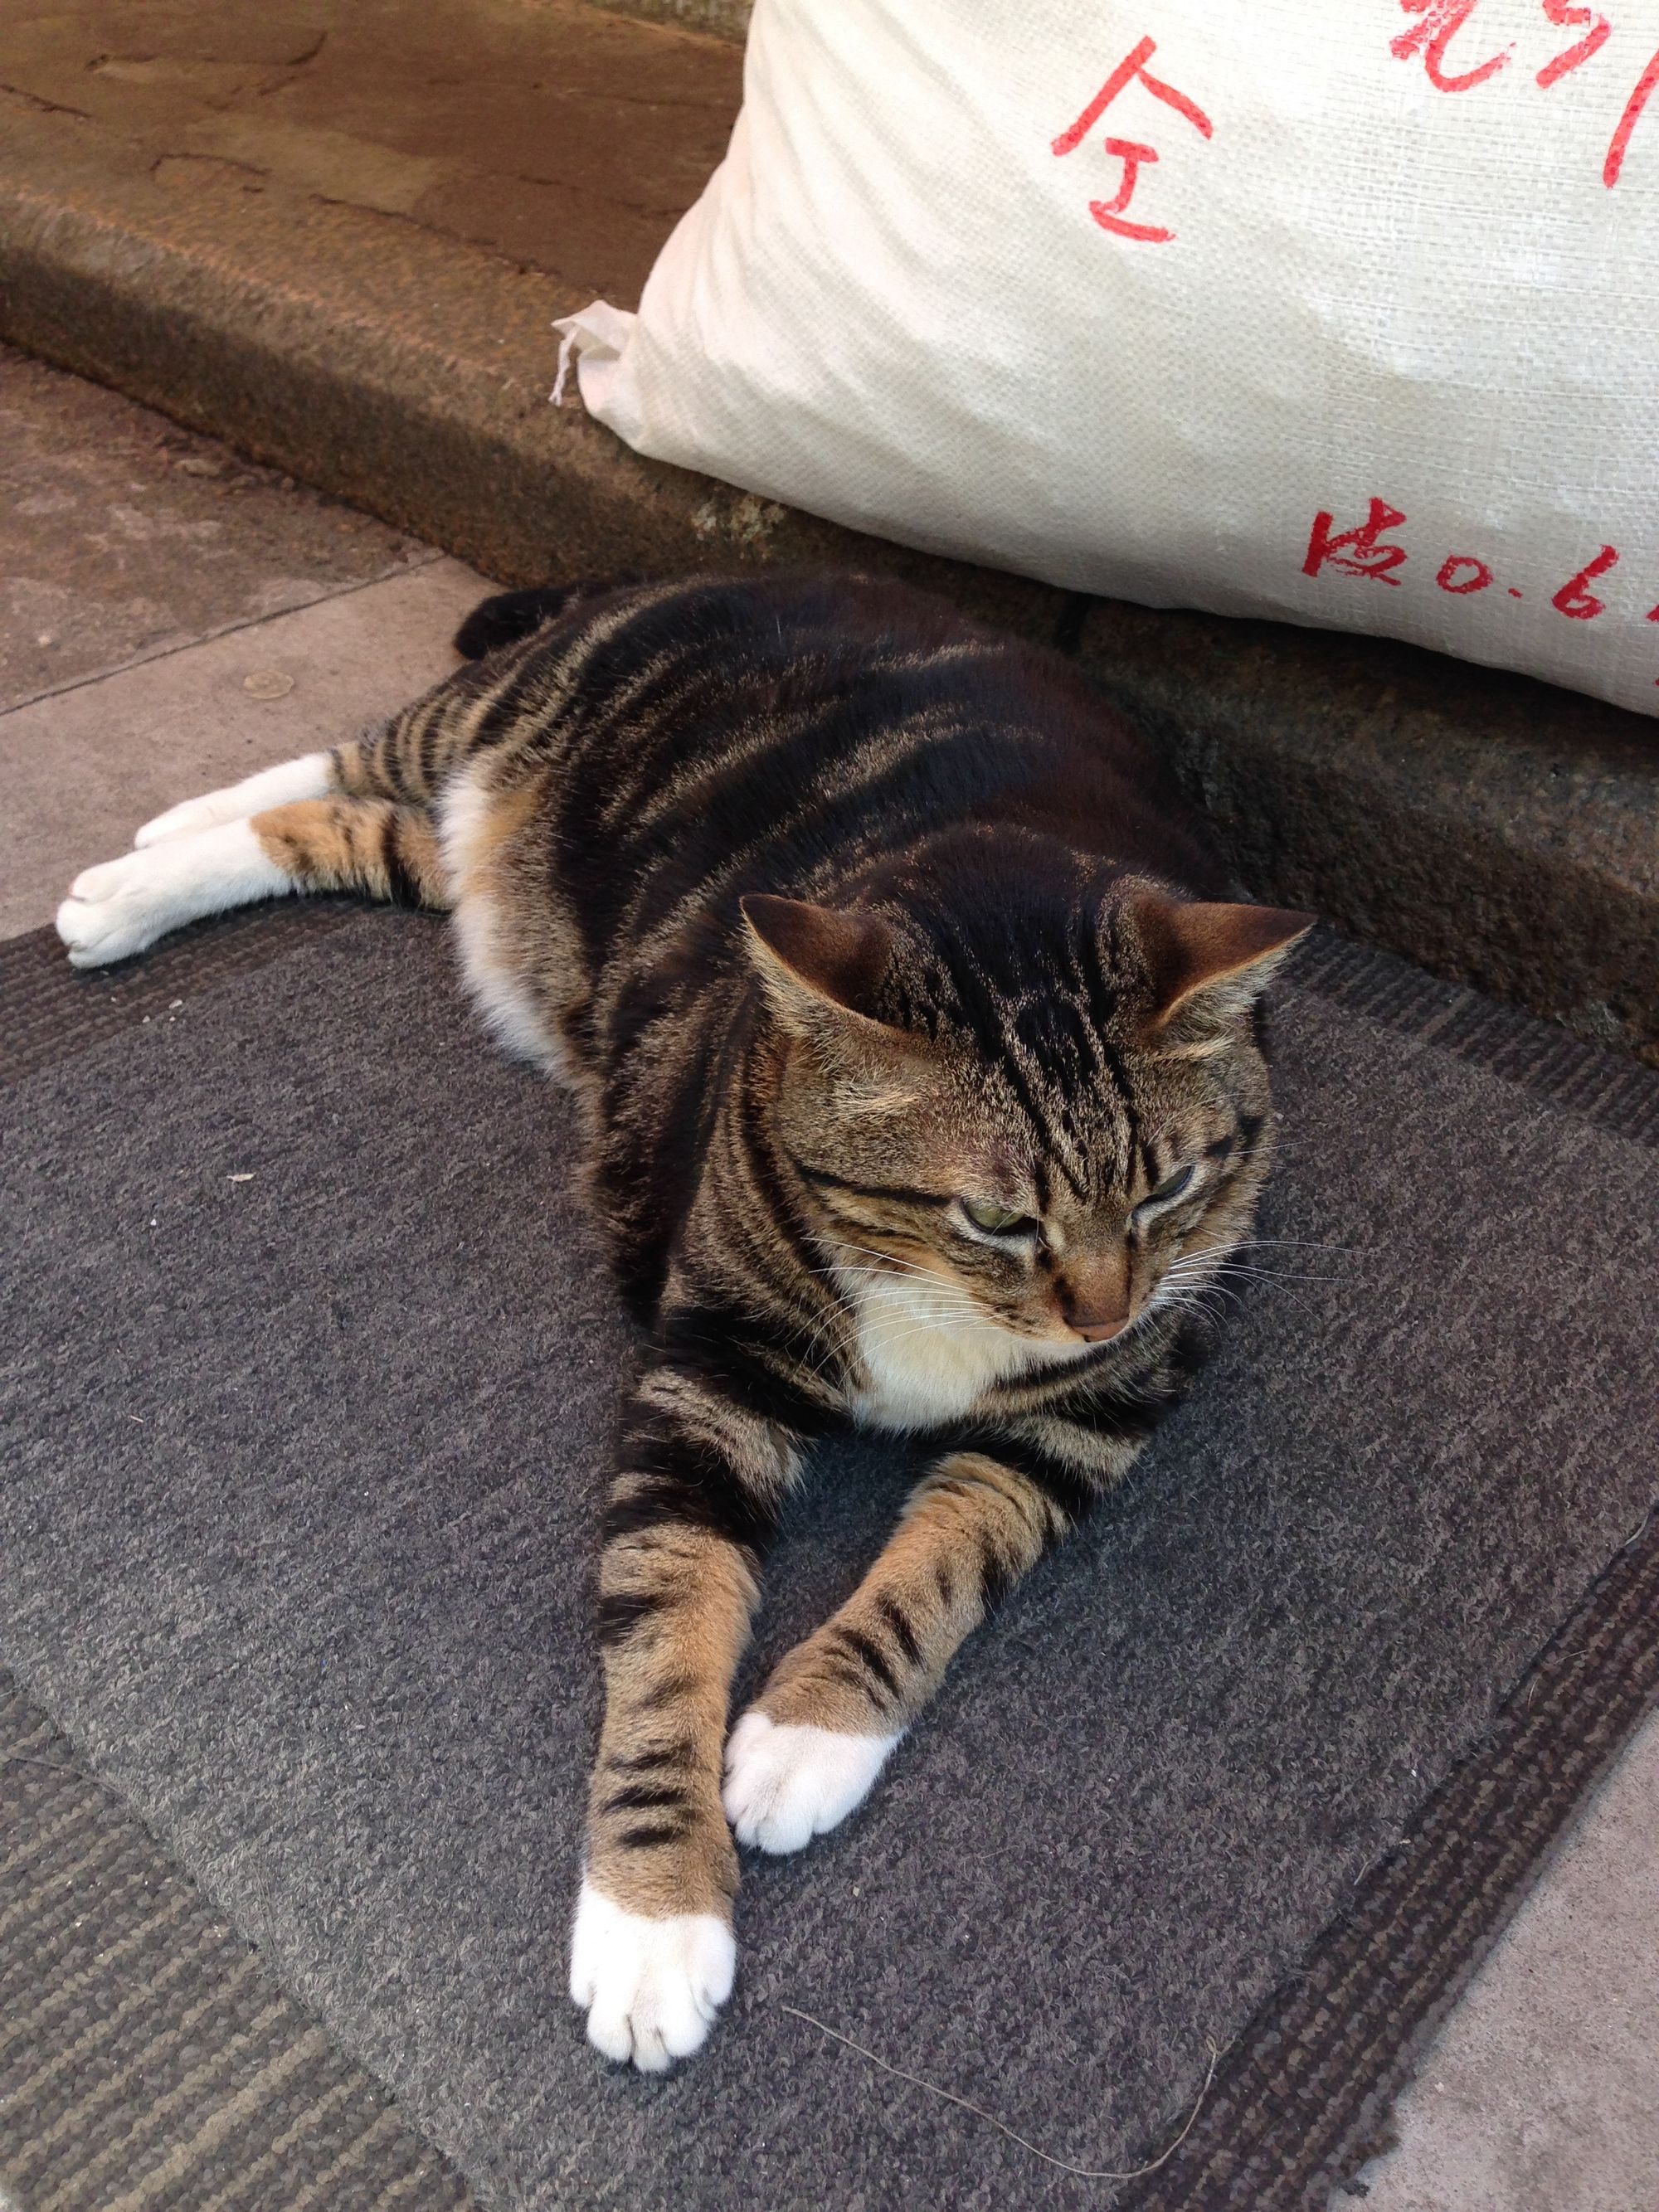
[[171, 620]]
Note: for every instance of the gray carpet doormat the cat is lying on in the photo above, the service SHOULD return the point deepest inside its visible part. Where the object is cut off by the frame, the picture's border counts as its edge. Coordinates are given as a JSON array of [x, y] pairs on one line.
[[304, 1474]]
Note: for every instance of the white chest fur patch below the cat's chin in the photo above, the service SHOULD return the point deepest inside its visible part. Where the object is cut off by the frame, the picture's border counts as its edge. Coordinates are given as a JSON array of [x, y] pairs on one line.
[[928, 1357]]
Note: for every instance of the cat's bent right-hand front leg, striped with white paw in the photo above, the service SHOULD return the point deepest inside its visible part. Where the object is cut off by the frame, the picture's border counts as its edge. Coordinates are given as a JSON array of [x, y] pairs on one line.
[[822, 1731]]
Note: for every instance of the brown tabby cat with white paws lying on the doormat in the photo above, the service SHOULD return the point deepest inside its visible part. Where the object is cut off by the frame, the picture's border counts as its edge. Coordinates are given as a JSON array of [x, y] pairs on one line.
[[921, 1085]]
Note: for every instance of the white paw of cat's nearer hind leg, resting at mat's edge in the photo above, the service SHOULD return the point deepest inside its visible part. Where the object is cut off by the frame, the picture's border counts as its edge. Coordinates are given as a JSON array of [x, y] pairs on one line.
[[129, 904]]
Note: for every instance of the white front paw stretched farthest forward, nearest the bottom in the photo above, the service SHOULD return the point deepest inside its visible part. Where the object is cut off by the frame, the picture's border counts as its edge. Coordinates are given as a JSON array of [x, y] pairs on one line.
[[649, 1987]]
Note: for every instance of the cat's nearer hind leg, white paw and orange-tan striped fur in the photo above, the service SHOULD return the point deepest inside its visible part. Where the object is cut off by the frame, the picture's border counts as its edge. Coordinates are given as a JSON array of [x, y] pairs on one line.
[[368, 846]]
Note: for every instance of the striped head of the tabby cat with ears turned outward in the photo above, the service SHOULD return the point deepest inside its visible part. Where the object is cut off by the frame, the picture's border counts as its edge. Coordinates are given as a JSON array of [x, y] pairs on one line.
[[1052, 1118]]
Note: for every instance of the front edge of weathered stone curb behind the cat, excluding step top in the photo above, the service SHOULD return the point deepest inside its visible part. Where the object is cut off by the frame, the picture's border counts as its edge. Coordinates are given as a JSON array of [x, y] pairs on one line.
[[1492, 828]]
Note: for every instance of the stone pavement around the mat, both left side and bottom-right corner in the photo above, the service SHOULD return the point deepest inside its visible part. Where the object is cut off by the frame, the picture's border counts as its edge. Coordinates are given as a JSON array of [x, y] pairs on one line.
[[145, 578]]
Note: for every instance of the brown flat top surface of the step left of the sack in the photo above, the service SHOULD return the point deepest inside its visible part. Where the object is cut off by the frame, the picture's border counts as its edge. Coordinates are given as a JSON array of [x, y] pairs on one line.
[[543, 134]]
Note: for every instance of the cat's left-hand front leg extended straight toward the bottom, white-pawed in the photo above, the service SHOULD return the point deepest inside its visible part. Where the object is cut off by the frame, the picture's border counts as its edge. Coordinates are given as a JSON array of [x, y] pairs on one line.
[[689, 1521]]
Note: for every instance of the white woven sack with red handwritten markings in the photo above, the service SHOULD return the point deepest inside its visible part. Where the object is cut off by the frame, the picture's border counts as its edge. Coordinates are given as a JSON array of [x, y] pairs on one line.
[[1339, 311]]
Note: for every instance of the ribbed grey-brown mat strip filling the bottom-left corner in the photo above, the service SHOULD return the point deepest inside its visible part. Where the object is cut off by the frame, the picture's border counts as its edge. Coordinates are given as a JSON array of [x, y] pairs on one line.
[[147, 2058]]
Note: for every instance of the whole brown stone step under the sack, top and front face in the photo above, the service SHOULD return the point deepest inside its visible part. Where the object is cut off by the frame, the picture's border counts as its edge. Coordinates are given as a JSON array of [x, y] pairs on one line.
[[337, 236]]
